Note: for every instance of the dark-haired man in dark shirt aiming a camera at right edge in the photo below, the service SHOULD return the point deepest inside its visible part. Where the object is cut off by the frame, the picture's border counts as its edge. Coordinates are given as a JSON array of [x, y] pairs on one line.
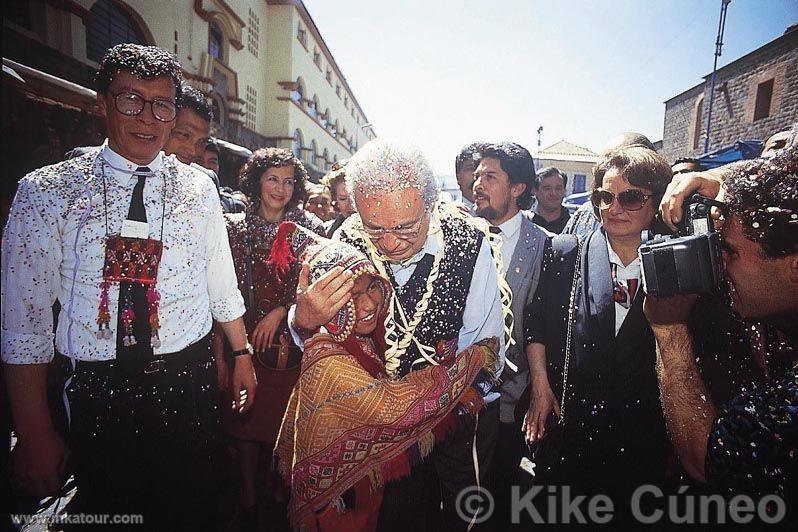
[[747, 445]]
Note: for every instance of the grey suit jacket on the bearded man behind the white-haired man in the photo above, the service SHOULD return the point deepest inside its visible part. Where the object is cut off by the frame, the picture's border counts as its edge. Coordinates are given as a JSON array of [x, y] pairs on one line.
[[522, 276]]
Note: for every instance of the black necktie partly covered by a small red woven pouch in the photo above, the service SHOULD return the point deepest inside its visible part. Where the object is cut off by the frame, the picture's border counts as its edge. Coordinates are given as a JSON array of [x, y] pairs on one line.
[[134, 295]]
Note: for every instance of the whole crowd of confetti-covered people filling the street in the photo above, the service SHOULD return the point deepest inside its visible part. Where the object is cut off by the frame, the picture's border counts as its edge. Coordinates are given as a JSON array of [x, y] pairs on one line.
[[366, 353]]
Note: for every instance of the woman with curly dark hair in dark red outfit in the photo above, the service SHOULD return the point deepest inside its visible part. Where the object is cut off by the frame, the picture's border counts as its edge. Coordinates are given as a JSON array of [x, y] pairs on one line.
[[274, 181]]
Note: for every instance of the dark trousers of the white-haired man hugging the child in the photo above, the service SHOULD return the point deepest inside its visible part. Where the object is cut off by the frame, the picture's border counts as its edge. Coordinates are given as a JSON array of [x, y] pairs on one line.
[[414, 503]]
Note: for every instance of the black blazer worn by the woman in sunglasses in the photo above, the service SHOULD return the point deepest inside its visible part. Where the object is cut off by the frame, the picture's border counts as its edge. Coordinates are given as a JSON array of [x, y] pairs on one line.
[[612, 402]]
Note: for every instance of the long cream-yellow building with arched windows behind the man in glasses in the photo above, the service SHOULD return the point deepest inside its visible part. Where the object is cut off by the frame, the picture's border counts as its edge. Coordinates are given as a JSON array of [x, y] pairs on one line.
[[264, 64]]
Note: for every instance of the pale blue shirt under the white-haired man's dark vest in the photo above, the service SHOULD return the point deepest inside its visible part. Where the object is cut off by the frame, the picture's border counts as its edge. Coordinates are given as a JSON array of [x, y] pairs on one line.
[[482, 317]]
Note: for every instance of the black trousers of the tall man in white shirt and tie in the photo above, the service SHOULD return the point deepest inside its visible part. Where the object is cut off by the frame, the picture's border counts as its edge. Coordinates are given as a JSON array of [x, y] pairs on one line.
[[147, 443]]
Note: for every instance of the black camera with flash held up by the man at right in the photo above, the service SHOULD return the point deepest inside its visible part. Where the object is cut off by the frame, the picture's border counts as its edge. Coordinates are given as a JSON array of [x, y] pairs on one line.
[[688, 262]]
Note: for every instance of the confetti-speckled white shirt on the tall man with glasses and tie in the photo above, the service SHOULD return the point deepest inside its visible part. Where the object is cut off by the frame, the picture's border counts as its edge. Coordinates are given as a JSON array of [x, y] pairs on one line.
[[56, 234]]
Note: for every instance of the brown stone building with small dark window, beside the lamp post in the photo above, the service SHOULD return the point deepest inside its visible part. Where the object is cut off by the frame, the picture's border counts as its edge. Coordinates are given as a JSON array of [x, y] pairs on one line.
[[755, 96]]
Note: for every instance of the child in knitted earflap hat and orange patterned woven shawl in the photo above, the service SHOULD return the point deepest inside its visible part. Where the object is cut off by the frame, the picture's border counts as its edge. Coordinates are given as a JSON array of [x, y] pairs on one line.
[[348, 428]]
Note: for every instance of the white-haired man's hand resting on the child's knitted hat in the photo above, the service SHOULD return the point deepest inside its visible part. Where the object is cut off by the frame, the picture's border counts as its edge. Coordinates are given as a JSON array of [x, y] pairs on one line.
[[318, 303]]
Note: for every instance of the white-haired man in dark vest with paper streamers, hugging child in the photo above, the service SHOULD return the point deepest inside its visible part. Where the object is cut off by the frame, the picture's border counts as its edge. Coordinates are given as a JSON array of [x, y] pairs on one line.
[[446, 297]]
